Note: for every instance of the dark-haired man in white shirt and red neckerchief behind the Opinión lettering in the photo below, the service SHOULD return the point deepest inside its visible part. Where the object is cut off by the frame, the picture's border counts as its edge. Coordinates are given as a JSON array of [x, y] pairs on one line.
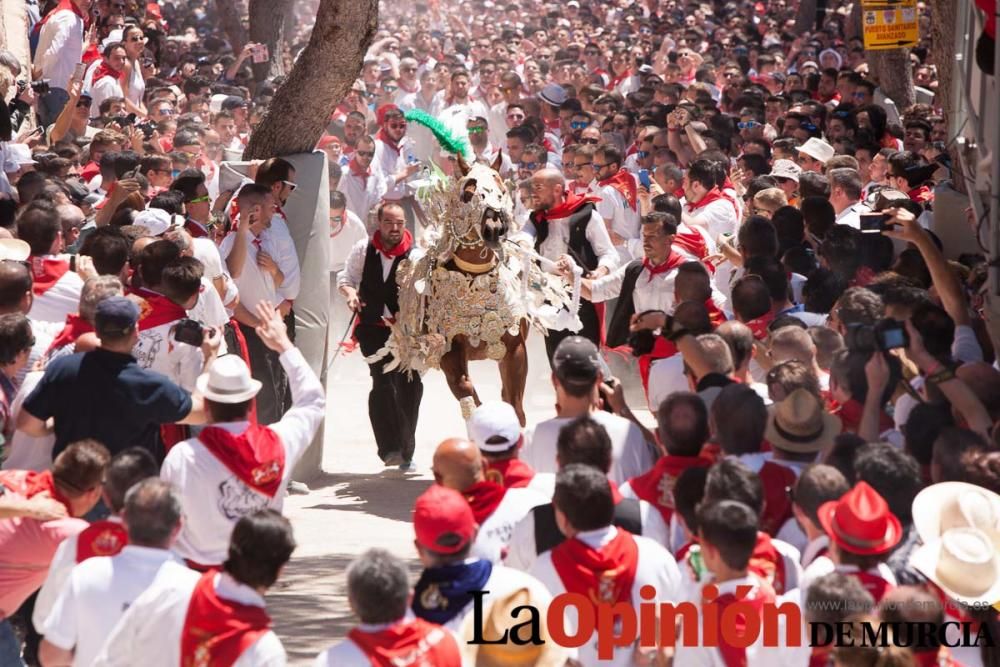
[[596, 560]]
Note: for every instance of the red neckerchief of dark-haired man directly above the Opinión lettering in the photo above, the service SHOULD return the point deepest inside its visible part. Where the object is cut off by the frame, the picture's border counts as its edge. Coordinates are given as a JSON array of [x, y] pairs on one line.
[[603, 575]]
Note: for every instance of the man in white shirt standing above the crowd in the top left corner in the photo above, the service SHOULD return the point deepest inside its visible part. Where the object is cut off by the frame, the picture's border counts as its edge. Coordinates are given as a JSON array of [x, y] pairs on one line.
[[60, 47]]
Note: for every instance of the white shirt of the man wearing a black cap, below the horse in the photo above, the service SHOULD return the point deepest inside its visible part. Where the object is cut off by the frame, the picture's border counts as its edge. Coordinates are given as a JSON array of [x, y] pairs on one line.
[[631, 455]]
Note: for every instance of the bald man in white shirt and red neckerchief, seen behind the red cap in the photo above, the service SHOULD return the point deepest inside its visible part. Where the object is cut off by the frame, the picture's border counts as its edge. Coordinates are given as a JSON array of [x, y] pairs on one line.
[[458, 465]]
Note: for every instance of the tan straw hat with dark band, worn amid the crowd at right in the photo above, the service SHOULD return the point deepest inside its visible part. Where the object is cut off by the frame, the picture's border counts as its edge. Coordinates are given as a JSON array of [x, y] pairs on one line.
[[801, 424]]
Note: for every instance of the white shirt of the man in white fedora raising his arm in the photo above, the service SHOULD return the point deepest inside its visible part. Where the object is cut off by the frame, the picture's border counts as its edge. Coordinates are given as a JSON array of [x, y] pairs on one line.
[[220, 497]]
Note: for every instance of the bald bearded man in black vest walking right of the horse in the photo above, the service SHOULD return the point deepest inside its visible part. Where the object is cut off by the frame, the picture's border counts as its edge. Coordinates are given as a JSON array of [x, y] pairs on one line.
[[567, 229]]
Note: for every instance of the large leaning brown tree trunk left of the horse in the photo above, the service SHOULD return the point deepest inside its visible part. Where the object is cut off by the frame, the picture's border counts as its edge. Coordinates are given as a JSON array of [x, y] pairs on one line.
[[323, 74]]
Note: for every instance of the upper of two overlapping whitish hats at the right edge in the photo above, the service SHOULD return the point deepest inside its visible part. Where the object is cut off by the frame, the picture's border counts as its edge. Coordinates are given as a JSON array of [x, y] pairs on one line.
[[946, 505]]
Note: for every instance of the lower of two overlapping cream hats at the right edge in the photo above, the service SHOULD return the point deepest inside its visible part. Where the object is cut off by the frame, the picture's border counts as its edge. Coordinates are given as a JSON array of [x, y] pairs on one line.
[[963, 563]]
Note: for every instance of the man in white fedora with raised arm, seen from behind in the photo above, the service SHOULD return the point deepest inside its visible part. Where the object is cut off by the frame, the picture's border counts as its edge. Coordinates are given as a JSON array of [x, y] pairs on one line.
[[233, 467]]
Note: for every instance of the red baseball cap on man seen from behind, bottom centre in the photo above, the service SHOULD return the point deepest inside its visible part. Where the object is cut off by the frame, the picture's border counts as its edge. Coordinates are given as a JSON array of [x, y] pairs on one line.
[[442, 520]]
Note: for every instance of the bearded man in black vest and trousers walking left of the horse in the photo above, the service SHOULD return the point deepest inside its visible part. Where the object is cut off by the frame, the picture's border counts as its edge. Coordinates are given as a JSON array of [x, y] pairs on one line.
[[368, 284]]
